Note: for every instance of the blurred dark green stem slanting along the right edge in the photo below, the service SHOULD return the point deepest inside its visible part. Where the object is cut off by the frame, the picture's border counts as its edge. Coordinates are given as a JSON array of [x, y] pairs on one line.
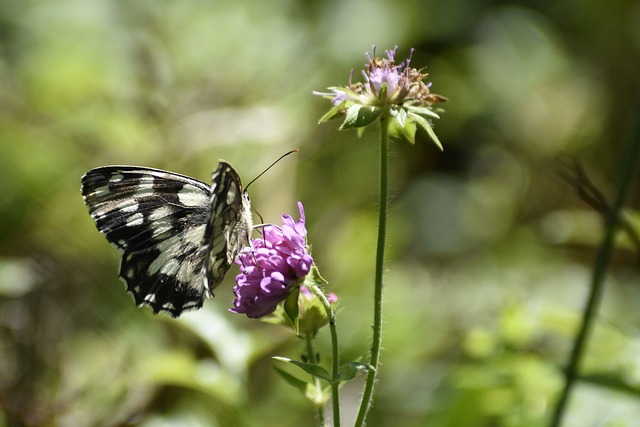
[[603, 258]]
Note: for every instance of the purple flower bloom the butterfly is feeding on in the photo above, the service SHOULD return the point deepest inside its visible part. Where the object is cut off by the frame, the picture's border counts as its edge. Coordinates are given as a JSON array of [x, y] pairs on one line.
[[271, 267]]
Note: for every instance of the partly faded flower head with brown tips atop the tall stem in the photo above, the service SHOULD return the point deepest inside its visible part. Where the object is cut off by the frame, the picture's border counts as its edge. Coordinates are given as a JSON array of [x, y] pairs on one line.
[[397, 90]]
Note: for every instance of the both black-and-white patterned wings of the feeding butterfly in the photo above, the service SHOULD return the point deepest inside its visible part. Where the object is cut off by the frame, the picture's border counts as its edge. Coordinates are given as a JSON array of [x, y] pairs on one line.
[[178, 235]]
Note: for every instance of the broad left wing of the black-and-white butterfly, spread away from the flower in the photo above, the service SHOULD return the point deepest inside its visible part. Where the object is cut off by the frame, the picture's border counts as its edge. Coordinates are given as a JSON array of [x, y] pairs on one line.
[[158, 219]]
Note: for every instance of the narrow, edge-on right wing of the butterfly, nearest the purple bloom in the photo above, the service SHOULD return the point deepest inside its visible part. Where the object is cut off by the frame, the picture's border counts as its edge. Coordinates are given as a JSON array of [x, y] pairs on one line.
[[229, 224]]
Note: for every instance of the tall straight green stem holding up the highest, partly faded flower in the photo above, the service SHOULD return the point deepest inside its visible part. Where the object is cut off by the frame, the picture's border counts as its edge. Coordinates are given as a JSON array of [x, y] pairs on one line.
[[376, 341]]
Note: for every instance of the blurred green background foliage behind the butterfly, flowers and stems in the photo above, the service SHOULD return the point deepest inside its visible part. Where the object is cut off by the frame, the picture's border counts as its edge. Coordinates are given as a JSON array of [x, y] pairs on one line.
[[490, 249]]
